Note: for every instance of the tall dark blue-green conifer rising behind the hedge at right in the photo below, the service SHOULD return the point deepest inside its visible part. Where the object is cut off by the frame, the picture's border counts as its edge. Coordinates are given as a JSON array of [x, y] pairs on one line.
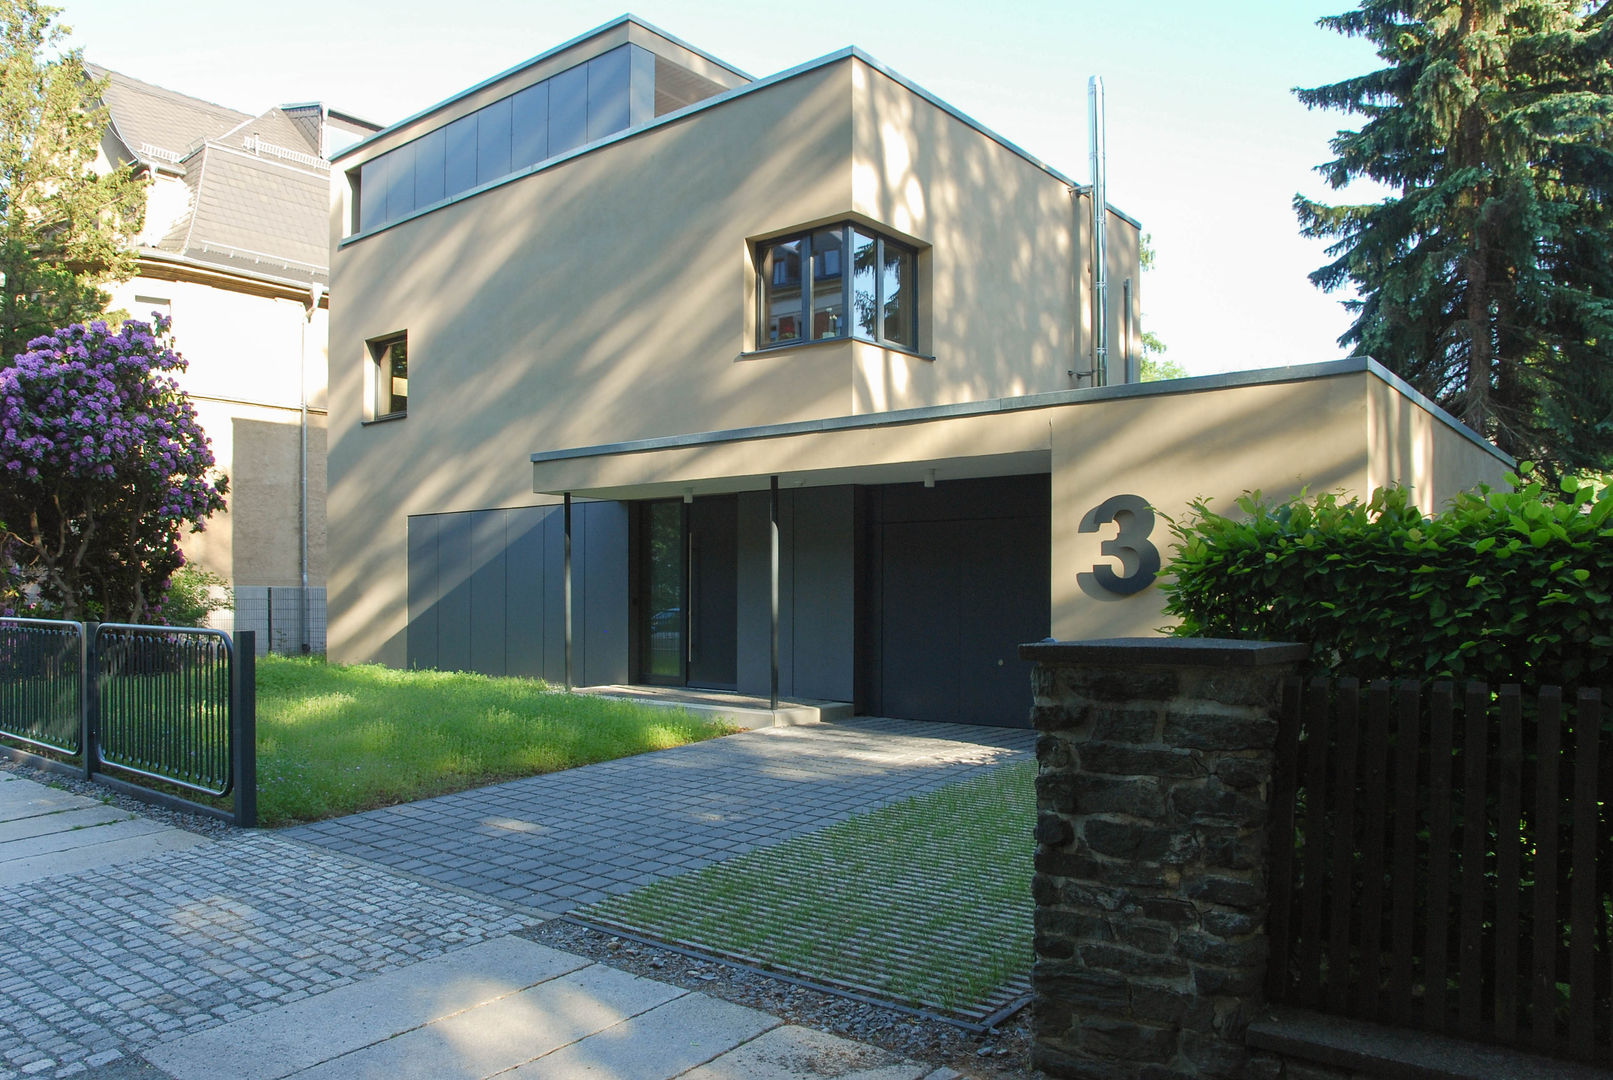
[[1486, 280]]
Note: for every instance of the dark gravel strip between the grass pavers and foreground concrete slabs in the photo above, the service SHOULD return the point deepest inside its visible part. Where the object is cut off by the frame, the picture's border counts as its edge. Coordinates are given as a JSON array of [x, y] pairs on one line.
[[996, 1057]]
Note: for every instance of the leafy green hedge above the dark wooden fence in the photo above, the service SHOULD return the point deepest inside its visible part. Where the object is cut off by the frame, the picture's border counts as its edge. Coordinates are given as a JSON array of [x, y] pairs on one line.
[[1506, 586]]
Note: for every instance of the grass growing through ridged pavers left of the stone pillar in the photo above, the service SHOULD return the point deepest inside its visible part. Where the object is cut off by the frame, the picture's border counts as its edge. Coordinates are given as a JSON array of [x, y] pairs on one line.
[[927, 900]]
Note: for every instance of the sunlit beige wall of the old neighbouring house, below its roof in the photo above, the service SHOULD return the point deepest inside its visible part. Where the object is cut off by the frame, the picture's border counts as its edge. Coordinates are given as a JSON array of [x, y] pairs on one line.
[[244, 357]]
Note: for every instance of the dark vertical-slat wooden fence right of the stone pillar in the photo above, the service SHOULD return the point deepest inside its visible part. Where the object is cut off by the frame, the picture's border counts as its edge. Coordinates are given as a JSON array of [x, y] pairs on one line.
[[1443, 858]]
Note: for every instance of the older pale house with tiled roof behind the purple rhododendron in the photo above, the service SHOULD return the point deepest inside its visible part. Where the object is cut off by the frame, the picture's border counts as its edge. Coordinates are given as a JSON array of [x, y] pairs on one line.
[[236, 252]]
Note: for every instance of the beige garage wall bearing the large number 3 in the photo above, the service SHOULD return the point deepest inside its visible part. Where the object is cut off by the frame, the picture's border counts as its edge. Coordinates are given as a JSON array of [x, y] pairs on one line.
[[1344, 433]]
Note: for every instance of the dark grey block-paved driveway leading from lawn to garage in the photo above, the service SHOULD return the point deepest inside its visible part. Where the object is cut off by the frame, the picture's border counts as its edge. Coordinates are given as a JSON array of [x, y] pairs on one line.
[[570, 839]]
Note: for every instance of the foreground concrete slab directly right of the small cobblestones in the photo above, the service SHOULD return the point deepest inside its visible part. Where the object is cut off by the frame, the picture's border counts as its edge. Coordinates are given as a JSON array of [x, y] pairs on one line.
[[323, 1028]]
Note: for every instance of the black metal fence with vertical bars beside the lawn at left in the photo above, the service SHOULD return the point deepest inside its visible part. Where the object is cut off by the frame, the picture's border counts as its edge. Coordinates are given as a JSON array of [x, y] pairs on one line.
[[141, 708]]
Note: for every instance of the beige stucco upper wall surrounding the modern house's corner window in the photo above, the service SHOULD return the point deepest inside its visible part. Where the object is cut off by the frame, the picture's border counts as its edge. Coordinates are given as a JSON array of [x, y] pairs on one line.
[[612, 297]]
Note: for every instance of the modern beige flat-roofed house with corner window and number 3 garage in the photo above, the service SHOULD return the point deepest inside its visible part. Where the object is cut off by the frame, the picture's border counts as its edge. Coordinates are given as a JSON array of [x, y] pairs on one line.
[[694, 304]]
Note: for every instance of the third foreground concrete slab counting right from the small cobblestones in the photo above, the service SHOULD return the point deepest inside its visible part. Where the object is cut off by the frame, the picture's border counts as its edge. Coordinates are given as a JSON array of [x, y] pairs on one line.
[[665, 1042]]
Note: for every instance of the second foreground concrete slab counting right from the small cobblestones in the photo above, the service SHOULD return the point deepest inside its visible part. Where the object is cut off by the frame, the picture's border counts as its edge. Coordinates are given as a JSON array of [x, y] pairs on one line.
[[507, 1032]]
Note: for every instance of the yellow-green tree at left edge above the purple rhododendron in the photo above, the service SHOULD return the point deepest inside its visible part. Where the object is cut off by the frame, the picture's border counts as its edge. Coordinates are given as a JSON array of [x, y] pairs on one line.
[[65, 228]]
